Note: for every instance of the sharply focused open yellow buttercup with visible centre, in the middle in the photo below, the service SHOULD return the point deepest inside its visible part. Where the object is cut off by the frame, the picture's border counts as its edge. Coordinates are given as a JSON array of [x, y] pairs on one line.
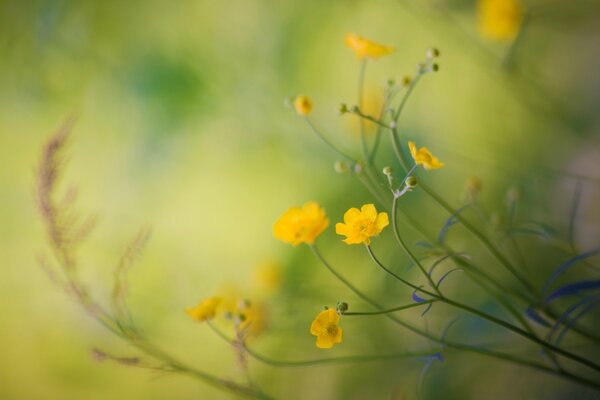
[[360, 225]]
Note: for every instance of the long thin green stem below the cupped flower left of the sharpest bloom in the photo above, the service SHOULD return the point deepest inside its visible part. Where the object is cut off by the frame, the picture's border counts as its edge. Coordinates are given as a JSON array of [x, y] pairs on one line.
[[456, 345]]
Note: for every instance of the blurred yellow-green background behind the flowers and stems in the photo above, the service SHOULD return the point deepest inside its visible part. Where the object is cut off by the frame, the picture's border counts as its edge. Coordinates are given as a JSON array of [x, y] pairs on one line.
[[181, 127]]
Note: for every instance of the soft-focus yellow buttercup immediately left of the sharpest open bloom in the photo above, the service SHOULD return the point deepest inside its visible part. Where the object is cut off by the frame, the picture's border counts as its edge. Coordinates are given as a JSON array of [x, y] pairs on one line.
[[301, 224]]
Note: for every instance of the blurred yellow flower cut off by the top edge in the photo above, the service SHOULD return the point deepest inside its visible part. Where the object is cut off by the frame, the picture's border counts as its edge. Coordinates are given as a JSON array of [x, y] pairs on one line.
[[499, 19]]
